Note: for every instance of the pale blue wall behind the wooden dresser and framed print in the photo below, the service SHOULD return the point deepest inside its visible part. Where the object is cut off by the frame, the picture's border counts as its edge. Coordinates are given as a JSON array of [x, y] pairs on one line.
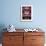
[[10, 13]]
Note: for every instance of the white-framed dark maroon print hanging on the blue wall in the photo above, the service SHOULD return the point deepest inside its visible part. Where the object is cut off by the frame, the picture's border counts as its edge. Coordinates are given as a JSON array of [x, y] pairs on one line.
[[26, 12]]
